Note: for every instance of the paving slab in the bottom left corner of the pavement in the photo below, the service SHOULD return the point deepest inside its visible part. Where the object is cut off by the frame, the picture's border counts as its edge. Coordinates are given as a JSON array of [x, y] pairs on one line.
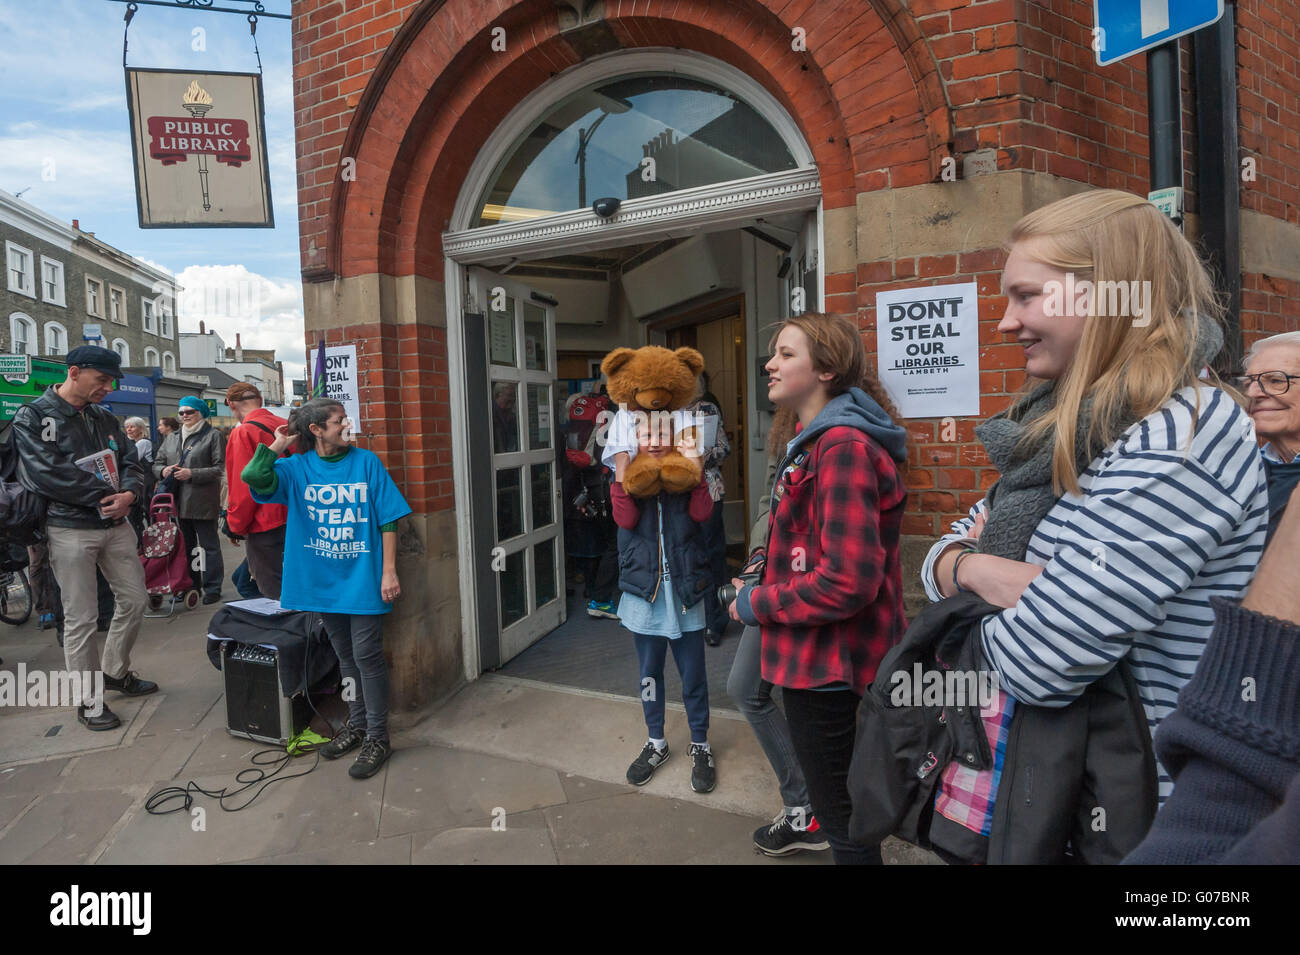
[[63, 828]]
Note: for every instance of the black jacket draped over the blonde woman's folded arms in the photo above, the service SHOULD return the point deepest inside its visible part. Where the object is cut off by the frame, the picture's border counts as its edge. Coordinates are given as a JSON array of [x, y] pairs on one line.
[[1078, 783]]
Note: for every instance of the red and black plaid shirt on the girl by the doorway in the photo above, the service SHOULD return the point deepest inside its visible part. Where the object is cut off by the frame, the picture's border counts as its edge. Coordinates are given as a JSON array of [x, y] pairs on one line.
[[830, 602]]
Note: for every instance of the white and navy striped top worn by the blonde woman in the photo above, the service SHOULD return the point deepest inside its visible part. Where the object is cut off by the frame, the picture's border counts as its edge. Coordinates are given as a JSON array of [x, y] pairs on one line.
[[1156, 532]]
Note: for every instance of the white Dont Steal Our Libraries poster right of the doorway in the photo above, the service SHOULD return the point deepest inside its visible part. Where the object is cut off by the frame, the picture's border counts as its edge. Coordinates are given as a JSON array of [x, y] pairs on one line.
[[928, 345]]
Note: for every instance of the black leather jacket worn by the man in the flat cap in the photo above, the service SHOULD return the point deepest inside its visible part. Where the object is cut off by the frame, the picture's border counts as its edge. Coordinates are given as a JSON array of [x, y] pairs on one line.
[[49, 470]]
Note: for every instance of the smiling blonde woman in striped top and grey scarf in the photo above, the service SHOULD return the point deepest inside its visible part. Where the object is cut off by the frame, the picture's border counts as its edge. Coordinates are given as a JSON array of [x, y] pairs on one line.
[[1130, 489]]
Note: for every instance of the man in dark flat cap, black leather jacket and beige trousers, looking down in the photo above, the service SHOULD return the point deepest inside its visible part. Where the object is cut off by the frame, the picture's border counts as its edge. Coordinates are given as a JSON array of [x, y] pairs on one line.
[[79, 458]]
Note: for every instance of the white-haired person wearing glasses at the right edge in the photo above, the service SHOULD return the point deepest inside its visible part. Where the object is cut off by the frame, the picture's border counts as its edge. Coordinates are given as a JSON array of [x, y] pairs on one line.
[[1272, 383]]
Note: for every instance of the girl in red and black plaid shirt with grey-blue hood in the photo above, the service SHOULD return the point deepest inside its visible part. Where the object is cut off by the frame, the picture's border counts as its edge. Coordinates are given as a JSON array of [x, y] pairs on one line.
[[830, 601]]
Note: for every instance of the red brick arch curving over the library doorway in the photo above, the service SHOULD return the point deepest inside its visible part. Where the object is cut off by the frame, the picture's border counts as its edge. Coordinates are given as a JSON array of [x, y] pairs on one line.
[[865, 93]]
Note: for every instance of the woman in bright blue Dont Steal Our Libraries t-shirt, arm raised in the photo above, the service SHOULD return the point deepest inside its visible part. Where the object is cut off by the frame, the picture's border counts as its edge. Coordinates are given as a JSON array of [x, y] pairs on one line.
[[340, 558]]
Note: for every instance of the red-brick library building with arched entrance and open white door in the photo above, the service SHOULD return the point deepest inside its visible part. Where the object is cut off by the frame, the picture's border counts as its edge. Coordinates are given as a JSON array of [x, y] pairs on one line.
[[449, 153]]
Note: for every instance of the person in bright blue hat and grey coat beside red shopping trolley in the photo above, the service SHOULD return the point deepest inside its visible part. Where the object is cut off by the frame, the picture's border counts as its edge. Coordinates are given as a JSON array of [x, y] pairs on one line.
[[194, 461]]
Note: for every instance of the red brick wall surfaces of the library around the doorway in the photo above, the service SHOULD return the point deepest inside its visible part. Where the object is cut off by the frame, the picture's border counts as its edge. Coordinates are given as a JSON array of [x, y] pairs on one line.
[[885, 93]]
